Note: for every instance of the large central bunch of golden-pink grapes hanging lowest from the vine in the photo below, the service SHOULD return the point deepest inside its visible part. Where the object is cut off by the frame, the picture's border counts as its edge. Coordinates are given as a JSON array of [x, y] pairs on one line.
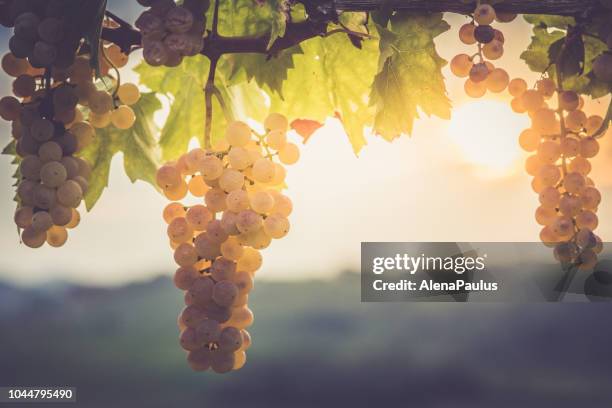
[[238, 210]]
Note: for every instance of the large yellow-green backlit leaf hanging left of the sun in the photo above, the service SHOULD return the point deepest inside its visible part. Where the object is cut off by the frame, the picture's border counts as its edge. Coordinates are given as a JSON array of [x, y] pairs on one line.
[[409, 77]]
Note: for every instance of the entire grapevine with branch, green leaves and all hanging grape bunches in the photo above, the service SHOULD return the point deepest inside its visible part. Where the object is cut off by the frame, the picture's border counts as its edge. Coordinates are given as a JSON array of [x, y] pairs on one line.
[[220, 67]]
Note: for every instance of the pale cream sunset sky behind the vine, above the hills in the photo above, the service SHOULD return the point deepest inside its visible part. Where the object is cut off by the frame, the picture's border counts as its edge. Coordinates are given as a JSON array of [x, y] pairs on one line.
[[457, 180]]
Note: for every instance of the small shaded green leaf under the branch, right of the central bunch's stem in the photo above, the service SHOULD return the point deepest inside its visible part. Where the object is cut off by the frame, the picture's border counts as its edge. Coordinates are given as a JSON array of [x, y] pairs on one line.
[[268, 72]]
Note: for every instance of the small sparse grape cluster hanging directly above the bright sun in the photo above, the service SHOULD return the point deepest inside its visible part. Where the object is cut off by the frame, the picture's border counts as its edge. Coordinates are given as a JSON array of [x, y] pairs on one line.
[[480, 72]]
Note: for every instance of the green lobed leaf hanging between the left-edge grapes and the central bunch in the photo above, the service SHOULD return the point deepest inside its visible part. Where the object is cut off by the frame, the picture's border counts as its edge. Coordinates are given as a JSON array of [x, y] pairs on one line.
[[137, 144]]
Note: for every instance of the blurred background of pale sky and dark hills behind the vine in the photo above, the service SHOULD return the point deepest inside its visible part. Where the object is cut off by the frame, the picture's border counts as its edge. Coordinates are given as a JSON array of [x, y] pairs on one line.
[[100, 313]]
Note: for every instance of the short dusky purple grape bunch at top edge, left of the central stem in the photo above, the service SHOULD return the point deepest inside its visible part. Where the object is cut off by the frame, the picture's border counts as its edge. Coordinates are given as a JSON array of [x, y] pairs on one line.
[[171, 32]]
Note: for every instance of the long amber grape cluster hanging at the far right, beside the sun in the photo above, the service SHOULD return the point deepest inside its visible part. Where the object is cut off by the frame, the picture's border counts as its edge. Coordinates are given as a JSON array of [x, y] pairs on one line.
[[562, 141]]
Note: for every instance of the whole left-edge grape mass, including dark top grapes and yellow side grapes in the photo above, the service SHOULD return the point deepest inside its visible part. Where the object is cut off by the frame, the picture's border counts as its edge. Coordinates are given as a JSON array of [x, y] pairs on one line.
[[56, 107]]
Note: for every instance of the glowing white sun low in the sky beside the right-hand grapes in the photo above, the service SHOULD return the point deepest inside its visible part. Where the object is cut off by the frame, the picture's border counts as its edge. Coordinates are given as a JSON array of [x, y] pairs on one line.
[[487, 134]]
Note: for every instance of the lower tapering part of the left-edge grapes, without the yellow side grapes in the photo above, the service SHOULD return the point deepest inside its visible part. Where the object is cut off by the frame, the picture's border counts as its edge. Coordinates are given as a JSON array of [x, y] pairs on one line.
[[52, 180]]
